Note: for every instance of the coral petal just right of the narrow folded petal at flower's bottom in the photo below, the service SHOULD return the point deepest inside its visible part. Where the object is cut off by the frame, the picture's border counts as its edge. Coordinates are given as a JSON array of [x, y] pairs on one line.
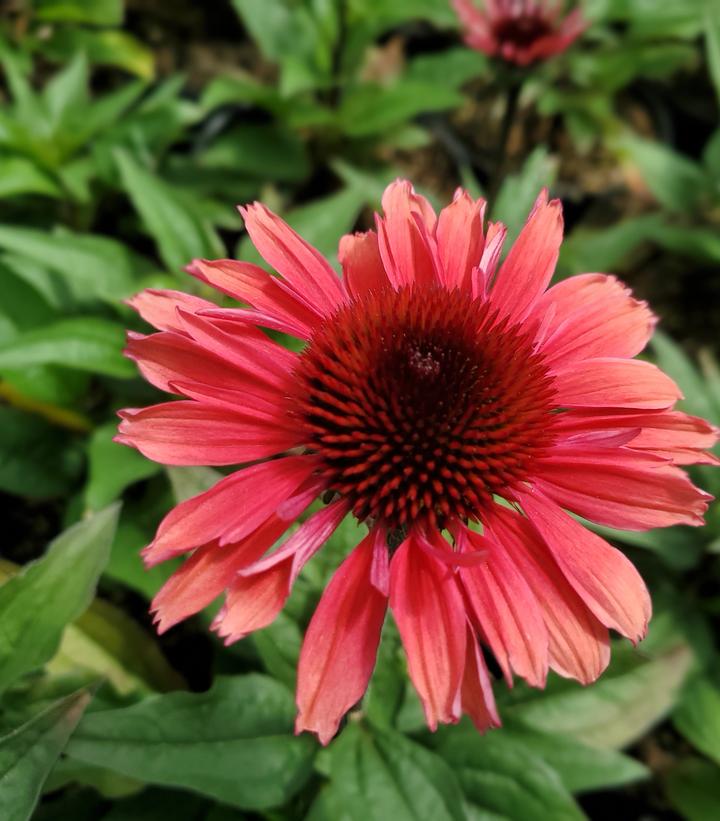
[[507, 613]]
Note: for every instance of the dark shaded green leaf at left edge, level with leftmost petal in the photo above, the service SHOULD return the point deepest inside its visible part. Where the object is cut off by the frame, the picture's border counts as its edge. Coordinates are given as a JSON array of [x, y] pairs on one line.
[[35, 458]]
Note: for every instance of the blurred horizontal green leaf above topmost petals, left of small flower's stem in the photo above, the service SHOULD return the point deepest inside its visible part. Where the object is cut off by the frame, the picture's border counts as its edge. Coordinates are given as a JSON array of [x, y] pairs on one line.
[[369, 110]]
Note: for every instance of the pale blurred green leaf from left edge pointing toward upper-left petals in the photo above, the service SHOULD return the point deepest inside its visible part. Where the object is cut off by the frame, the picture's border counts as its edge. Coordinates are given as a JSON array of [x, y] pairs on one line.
[[92, 266]]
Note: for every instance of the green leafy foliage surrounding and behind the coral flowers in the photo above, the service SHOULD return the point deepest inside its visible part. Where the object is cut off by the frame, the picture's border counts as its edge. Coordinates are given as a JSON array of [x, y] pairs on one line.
[[128, 130]]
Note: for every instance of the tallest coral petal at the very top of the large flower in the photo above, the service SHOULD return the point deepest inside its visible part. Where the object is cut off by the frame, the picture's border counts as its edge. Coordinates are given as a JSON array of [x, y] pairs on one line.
[[404, 237]]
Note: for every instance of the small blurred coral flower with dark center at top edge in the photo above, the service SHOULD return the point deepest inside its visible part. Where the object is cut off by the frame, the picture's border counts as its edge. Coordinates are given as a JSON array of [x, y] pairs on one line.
[[519, 31]]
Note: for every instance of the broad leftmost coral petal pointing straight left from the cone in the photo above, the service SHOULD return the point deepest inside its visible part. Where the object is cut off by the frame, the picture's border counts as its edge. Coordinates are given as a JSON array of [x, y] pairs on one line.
[[192, 433]]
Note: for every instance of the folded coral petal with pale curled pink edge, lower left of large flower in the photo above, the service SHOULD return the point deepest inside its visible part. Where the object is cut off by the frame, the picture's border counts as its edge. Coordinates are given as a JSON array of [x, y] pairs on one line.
[[261, 589]]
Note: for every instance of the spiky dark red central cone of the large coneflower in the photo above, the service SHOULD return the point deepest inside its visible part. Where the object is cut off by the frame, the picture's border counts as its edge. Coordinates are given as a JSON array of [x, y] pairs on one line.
[[422, 404]]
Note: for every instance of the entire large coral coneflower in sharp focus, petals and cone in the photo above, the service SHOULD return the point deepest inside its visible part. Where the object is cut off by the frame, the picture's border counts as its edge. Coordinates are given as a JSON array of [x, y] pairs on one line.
[[453, 404]]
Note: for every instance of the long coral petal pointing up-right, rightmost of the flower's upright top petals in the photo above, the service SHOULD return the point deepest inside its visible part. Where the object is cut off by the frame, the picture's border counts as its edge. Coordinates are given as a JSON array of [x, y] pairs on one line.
[[530, 264]]
